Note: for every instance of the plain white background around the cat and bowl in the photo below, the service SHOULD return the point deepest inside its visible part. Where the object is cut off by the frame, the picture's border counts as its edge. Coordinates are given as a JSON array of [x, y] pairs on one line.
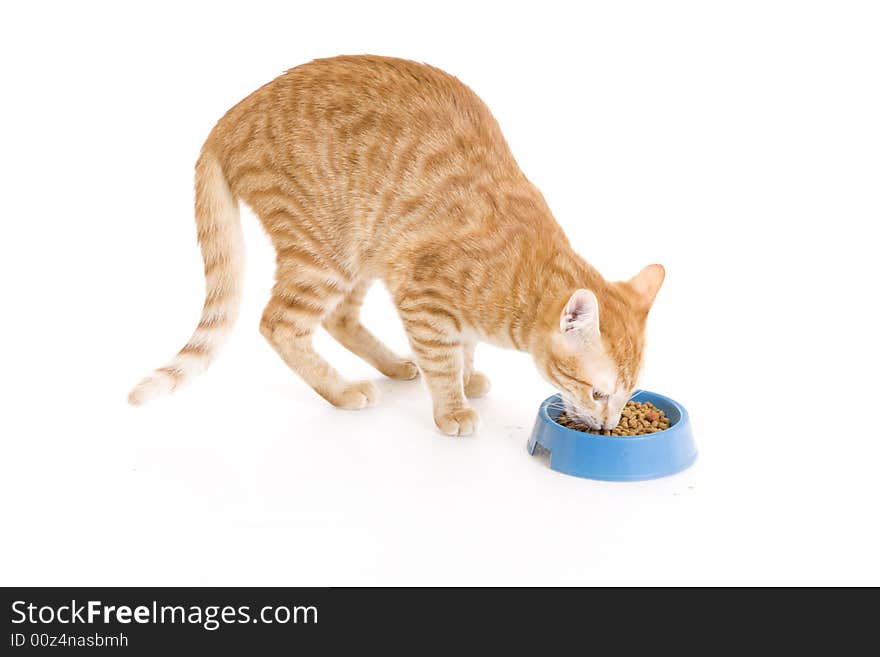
[[736, 143]]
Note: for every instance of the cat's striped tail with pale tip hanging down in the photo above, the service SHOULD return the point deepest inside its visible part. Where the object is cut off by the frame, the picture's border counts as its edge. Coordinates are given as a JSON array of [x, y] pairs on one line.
[[220, 237]]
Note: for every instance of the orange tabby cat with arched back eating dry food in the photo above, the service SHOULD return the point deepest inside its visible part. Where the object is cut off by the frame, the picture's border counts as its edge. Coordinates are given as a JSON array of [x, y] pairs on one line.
[[365, 168]]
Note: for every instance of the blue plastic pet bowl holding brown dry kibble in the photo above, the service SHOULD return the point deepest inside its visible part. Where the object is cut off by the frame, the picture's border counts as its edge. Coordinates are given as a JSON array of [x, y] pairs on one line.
[[617, 458]]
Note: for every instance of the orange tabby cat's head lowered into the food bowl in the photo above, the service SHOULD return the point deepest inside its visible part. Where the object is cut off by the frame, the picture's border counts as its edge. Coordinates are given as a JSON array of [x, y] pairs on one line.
[[595, 353]]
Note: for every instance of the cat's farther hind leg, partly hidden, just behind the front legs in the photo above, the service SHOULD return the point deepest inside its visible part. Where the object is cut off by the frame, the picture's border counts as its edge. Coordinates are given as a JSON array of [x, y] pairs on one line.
[[344, 324]]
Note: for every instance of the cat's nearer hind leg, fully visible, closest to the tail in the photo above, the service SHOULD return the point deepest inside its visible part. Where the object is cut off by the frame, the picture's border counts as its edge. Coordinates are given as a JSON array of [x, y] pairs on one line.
[[300, 300]]
